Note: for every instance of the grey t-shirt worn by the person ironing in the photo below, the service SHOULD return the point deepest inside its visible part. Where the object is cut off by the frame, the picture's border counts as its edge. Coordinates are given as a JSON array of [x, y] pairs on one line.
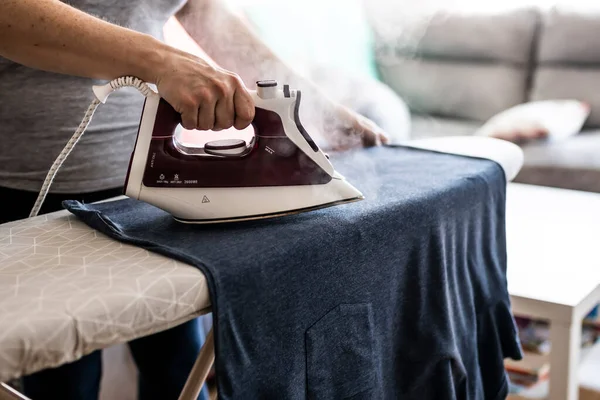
[[39, 111]]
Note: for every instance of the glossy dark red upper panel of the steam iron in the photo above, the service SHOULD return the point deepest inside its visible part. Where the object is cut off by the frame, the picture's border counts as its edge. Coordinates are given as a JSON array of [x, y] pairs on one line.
[[272, 160]]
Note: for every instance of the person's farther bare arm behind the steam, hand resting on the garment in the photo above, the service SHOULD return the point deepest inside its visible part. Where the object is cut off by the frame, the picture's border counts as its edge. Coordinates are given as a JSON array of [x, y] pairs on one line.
[[231, 43]]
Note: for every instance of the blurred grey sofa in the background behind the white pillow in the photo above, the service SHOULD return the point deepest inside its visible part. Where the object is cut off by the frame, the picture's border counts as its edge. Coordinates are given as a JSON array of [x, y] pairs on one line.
[[457, 68]]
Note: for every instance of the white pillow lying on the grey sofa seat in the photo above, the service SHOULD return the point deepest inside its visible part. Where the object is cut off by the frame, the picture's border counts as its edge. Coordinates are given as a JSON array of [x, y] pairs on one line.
[[553, 119]]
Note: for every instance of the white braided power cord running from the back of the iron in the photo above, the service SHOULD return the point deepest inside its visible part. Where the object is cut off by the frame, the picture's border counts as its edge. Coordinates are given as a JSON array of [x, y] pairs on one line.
[[101, 93]]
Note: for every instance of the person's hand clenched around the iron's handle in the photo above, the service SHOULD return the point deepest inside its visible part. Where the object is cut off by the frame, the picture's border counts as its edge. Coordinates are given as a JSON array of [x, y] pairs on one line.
[[207, 96]]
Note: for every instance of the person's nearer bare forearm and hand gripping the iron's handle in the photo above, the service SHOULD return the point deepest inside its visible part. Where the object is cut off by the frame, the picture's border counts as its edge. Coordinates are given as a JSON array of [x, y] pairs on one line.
[[52, 36]]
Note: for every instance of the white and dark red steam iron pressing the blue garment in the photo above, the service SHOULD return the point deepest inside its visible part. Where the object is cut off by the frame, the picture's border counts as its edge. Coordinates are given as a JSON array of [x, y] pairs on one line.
[[280, 171]]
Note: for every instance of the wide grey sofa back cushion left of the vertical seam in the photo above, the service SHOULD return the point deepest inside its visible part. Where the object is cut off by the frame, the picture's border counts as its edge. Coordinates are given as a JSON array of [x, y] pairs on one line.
[[464, 64]]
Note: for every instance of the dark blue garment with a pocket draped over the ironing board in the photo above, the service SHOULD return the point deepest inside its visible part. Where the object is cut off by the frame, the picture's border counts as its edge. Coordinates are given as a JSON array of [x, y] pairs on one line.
[[400, 296]]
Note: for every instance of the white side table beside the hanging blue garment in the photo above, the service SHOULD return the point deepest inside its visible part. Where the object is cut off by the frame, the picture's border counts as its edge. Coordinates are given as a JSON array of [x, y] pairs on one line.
[[553, 239]]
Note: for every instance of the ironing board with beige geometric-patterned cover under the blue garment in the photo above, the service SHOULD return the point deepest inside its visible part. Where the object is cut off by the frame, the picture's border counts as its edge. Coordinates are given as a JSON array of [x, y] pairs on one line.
[[67, 290]]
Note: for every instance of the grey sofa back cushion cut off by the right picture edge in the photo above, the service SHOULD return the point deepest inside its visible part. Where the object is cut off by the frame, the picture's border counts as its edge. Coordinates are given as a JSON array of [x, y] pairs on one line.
[[568, 57]]
